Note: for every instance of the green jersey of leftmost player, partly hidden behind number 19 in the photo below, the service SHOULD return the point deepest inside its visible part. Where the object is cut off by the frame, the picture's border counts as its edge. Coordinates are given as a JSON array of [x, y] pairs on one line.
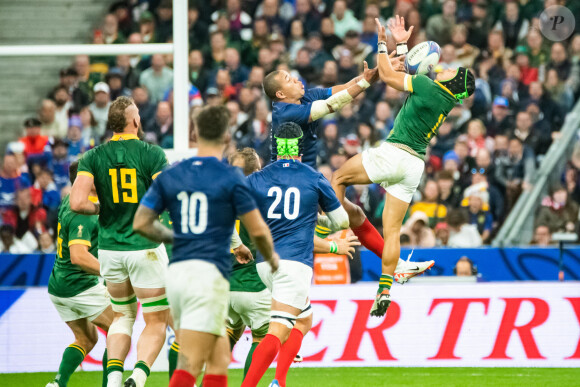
[[66, 279]]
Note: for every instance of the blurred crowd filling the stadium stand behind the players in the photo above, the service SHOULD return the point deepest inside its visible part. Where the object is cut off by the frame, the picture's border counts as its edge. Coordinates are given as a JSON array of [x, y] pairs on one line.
[[486, 154]]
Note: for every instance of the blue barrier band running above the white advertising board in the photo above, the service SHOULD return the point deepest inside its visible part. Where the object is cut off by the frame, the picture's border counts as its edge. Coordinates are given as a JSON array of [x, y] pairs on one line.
[[493, 264]]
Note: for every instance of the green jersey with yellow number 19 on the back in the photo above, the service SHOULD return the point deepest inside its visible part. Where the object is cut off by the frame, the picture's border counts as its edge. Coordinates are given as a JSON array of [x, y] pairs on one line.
[[123, 170]]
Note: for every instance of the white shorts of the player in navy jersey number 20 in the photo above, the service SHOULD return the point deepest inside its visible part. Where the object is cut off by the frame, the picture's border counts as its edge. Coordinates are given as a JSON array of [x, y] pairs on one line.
[[290, 284]]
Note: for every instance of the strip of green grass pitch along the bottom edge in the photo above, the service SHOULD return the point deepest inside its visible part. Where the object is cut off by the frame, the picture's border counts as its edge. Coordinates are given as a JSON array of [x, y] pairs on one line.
[[353, 377]]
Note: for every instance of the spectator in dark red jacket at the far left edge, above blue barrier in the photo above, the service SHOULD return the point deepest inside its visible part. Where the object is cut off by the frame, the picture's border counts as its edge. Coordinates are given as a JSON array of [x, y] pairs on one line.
[[27, 220]]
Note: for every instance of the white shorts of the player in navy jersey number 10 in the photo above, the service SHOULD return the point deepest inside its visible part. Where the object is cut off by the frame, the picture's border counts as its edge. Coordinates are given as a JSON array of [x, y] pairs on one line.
[[198, 295]]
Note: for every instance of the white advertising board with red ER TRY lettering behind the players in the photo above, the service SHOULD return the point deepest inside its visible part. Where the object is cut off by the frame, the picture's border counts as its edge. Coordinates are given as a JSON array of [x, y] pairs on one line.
[[477, 324]]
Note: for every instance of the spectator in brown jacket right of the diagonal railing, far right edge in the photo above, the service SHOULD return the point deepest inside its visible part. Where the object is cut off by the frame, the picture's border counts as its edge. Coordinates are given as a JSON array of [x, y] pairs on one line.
[[558, 212]]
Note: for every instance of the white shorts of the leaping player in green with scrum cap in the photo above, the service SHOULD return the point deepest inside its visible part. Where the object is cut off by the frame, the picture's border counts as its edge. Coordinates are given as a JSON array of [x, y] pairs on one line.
[[398, 171]]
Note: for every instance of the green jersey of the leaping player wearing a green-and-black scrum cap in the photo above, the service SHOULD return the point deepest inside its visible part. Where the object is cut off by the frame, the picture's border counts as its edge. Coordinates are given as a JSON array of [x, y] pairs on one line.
[[423, 112]]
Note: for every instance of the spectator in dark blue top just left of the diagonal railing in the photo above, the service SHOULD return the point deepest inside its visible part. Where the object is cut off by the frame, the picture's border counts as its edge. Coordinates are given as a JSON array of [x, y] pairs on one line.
[[515, 171]]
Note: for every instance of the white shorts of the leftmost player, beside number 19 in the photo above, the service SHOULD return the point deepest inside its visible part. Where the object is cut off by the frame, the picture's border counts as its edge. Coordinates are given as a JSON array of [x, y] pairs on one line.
[[89, 304]]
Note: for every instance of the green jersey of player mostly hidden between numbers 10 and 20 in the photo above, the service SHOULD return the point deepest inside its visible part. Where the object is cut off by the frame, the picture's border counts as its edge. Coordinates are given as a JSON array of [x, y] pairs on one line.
[[245, 277]]
